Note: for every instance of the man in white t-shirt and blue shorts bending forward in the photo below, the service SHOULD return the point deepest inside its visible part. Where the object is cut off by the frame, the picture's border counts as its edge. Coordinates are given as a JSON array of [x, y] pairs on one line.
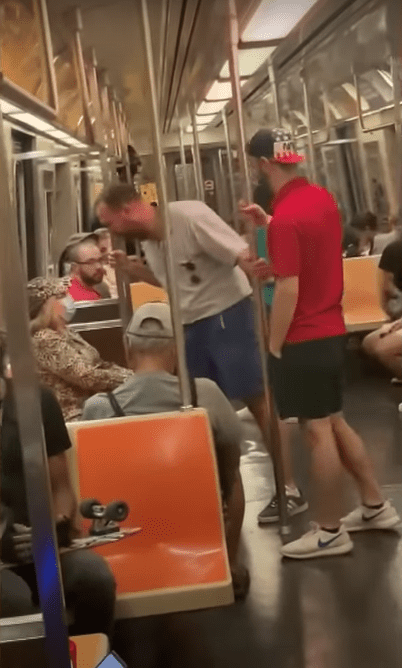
[[211, 262]]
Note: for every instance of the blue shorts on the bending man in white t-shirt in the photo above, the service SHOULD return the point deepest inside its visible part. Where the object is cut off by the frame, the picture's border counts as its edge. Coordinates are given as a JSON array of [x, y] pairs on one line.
[[224, 348]]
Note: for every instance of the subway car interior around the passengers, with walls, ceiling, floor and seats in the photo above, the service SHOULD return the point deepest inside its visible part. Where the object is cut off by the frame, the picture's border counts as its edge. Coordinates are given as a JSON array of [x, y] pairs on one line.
[[164, 95]]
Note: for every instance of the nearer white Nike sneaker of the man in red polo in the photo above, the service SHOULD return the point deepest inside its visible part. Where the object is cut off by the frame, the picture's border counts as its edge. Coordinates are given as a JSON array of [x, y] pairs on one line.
[[318, 543]]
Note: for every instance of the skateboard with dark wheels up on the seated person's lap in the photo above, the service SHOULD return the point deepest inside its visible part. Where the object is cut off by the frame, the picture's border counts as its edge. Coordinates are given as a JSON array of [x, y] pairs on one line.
[[104, 529]]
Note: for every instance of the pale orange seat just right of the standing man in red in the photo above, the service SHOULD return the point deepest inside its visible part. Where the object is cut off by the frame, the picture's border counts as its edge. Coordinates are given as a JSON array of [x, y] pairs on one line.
[[361, 300]]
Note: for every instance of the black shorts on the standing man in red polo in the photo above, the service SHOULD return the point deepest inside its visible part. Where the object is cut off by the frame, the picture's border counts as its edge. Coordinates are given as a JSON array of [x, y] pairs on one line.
[[307, 381]]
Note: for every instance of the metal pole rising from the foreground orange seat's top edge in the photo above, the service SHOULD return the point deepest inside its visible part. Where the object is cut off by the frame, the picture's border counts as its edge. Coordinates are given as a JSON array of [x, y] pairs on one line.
[[164, 210]]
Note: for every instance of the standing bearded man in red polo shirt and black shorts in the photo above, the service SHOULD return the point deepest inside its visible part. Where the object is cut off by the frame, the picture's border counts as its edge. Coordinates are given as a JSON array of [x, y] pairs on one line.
[[307, 345]]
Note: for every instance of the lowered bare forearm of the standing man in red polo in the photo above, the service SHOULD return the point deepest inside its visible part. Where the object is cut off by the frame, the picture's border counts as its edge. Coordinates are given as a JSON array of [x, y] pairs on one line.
[[283, 308]]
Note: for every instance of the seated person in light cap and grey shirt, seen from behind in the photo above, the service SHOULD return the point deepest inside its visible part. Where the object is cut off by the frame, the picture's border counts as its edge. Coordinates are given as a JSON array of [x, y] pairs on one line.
[[154, 388]]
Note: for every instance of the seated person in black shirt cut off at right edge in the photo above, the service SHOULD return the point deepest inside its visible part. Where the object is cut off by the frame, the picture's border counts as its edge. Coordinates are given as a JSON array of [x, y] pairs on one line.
[[385, 344]]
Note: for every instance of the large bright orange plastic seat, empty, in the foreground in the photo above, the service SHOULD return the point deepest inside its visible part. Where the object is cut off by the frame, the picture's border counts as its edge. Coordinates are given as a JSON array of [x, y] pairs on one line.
[[164, 467]]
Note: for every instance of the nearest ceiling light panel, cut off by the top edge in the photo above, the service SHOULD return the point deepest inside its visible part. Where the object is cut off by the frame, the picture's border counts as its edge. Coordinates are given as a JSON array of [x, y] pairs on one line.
[[275, 18]]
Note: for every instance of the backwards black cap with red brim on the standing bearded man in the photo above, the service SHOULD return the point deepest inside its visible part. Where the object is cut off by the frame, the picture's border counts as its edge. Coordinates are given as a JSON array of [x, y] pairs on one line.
[[275, 145]]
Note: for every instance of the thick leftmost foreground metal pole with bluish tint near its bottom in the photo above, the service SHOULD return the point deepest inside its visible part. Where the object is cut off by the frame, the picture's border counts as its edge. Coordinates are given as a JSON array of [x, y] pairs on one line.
[[28, 408]]
